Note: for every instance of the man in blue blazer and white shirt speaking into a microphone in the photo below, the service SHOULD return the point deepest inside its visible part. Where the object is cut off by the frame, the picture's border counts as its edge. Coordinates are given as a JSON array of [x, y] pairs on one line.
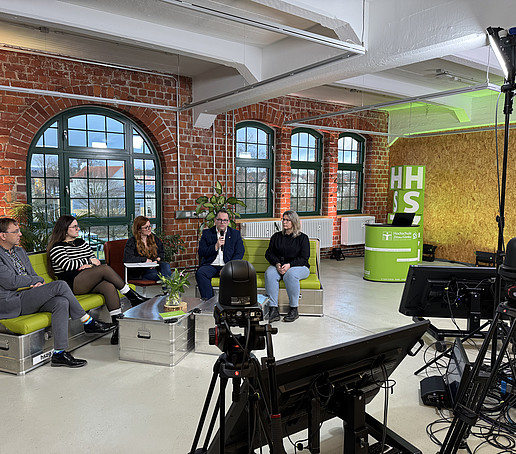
[[218, 246]]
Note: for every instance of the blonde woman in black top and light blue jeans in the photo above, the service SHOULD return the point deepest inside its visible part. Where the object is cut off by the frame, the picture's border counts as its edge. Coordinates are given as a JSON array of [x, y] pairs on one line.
[[288, 254]]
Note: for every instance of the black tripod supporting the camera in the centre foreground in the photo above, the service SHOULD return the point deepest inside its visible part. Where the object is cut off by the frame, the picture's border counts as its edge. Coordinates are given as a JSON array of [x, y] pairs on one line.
[[262, 417]]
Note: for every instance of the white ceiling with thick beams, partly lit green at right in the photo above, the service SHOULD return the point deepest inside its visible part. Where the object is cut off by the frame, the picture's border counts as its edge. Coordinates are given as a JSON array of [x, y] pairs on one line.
[[358, 52]]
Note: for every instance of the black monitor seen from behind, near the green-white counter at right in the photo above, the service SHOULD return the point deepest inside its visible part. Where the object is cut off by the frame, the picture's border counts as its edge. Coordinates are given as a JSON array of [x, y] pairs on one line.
[[447, 291]]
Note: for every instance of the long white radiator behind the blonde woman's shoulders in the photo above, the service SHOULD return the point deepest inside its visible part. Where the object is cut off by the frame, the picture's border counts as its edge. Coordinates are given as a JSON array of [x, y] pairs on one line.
[[314, 228]]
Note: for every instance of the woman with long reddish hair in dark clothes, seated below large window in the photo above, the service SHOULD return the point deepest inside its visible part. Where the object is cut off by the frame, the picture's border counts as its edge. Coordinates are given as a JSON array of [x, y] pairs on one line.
[[145, 247]]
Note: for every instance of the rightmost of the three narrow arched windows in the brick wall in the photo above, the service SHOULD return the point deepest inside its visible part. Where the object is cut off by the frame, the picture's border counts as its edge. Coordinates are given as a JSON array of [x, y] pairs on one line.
[[350, 173]]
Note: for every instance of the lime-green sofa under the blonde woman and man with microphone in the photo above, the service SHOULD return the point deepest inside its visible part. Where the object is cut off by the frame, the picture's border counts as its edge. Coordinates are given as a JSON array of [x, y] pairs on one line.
[[311, 301]]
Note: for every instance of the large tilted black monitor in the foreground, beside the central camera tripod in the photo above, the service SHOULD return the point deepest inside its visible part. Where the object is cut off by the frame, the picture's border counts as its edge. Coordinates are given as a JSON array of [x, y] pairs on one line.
[[336, 381]]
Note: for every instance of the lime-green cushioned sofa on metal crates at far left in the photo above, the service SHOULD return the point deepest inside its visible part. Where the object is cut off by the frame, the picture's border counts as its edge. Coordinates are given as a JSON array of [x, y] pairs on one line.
[[26, 341]]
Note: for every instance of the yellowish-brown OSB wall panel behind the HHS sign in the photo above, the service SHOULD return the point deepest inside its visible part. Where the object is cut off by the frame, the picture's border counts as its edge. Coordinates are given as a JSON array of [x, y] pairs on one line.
[[461, 192]]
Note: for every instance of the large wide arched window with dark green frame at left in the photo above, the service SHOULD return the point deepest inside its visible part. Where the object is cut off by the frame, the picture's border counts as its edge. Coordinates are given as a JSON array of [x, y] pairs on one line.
[[94, 163]]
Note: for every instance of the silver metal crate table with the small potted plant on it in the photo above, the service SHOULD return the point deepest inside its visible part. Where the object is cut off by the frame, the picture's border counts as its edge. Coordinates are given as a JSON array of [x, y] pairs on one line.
[[146, 337]]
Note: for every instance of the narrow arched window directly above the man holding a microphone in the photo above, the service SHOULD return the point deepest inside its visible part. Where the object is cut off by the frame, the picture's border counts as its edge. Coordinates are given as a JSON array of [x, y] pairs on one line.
[[254, 153]]
